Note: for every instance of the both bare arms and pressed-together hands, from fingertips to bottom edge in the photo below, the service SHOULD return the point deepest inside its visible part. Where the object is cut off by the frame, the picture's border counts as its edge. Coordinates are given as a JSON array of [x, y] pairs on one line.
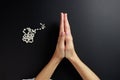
[[65, 49]]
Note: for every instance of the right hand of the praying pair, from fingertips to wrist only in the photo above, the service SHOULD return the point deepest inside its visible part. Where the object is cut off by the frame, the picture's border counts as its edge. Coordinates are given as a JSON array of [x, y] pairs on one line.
[[69, 47]]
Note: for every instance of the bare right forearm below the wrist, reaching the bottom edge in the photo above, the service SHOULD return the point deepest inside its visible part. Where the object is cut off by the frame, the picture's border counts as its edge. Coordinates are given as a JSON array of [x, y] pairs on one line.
[[85, 72]]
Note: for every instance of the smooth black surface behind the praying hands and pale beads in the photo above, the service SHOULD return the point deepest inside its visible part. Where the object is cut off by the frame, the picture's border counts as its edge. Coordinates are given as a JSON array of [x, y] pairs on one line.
[[95, 27]]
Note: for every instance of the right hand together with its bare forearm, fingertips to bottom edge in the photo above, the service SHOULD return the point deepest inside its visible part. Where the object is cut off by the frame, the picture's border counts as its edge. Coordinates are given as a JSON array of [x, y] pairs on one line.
[[70, 53]]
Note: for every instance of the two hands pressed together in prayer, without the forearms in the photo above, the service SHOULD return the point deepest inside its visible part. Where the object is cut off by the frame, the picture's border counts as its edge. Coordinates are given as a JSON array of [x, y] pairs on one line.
[[65, 46]]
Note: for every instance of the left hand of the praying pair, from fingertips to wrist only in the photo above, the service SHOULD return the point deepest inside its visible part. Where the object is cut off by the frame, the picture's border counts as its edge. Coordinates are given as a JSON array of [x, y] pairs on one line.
[[59, 52]]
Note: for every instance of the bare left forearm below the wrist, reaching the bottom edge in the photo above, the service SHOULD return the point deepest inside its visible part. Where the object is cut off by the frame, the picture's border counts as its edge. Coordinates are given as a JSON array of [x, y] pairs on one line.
[[48, 70]]
